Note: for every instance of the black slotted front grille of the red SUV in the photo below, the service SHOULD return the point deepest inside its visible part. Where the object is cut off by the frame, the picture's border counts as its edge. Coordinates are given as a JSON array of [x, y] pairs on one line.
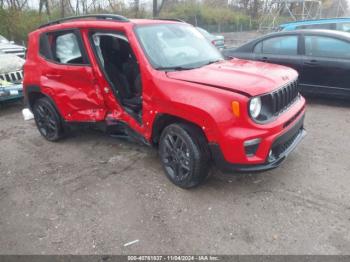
[[283, 97]]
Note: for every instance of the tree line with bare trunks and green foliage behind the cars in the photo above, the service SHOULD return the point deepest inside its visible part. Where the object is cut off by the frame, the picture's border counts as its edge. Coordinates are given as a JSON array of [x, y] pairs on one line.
[[18, 17]]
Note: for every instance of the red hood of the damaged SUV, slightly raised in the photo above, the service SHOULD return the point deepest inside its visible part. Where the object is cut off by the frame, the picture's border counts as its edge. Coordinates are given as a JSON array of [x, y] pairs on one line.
[[250, 78]]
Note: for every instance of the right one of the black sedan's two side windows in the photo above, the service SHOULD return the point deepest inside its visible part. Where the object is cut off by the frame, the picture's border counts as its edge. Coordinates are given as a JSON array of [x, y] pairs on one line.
[[321, 46]]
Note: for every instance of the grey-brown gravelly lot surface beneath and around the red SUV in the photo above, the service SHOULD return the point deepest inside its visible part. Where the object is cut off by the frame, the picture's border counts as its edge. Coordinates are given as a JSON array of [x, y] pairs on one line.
[[92, 194]]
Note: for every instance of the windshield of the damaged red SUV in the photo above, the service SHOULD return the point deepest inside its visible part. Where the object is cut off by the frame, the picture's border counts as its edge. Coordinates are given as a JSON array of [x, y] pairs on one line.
[[176, 46]]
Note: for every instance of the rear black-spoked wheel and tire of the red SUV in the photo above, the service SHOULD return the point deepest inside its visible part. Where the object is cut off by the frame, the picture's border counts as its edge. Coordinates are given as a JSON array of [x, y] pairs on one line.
[[47, 119]]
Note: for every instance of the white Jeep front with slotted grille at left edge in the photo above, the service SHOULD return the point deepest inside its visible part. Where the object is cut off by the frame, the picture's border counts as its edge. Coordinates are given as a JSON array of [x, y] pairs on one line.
[[11, 76]]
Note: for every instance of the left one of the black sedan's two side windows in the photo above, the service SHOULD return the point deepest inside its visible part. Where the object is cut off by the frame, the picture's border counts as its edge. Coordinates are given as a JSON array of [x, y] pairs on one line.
[[282, 45]]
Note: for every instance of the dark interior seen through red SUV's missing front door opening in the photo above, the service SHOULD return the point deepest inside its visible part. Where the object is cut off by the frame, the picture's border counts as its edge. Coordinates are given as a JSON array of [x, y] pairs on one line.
[[121, 68]]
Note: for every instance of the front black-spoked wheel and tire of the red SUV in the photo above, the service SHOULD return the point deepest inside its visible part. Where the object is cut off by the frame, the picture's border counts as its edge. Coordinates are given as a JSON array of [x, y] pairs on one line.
[[184, 154]]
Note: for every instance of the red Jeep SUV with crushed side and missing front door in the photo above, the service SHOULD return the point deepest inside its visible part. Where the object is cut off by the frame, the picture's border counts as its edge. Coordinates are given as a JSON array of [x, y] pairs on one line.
[[162, 82]]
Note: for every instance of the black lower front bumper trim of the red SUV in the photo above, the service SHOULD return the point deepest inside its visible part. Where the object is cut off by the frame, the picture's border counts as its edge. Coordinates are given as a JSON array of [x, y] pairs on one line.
[[280, 149]]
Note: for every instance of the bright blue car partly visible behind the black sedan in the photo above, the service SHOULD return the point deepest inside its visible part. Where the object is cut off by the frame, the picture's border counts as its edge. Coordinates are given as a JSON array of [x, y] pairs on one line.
[[340, 24]]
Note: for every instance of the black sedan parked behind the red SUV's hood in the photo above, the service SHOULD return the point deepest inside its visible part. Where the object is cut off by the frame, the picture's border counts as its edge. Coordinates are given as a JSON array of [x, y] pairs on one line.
[[322, 58]]
